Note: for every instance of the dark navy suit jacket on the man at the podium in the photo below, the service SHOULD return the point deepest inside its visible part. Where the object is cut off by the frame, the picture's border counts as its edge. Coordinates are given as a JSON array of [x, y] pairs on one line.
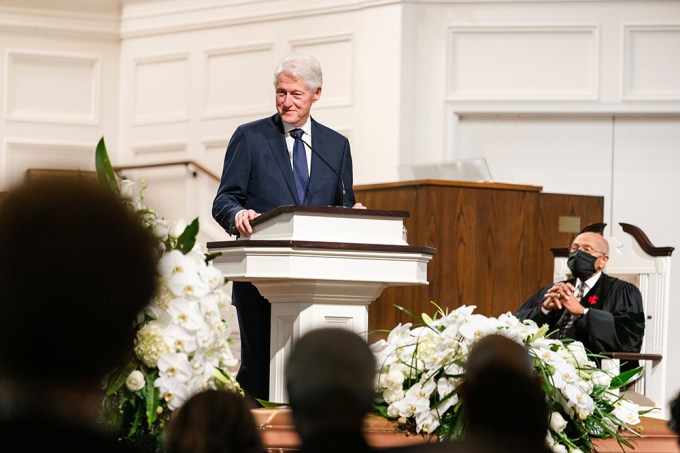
[[257, 173]]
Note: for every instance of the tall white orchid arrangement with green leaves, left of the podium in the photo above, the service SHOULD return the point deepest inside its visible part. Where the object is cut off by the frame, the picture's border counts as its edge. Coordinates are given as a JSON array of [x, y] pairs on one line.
[[182, 343]]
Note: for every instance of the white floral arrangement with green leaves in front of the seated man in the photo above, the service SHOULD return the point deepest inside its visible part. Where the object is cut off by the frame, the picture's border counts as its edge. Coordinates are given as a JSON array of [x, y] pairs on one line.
[[420, 368]]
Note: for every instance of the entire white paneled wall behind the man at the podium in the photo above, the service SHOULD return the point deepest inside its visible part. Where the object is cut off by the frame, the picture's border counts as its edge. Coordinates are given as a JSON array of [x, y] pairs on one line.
[[575, 96]]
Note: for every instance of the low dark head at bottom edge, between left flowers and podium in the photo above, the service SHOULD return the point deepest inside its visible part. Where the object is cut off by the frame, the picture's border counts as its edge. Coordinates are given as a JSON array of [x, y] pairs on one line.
[[213, 421]]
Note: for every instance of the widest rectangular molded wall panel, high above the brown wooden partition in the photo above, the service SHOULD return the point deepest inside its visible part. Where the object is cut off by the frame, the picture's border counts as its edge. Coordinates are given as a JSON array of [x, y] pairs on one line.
[[491, 62]]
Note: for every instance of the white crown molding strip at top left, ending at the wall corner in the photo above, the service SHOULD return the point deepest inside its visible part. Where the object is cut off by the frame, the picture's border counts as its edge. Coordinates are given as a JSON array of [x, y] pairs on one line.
[[61, 23]]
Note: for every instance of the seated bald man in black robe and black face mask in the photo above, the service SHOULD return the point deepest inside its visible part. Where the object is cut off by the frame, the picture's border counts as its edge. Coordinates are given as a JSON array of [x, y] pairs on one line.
[[602, 312]]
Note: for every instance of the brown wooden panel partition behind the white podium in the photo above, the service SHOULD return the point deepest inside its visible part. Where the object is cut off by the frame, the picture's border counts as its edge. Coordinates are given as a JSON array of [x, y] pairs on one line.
[[493, 243]]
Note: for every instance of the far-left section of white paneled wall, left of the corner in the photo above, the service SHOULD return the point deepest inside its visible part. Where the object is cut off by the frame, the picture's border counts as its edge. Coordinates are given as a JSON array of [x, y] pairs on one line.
[[59, 84]]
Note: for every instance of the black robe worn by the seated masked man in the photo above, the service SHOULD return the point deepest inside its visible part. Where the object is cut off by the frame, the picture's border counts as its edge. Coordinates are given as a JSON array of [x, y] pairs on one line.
[[614, 323]]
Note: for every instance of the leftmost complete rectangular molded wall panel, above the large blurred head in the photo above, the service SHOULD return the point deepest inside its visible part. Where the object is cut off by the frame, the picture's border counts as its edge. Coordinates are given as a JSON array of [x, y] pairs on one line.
[[52, 87]]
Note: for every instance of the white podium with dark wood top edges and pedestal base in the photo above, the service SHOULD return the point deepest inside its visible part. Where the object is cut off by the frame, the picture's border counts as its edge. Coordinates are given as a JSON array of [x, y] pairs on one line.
[[321, 267]]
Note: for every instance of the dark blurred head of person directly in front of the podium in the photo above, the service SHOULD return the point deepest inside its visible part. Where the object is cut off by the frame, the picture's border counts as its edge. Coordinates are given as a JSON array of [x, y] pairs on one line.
[[329, 377]]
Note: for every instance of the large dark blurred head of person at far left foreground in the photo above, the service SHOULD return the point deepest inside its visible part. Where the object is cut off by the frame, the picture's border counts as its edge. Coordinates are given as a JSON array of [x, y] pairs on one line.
[[76, 268]]
